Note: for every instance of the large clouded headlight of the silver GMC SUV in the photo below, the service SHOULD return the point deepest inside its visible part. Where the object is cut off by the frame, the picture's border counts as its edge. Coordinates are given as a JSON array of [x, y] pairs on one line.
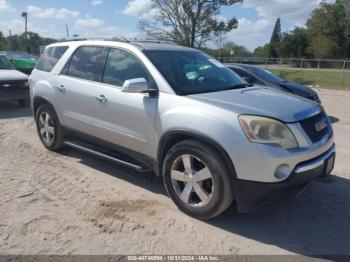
[[267, 131]]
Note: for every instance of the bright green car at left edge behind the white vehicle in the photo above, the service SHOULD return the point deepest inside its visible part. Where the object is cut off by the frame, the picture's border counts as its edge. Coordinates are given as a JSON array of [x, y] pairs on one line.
[[22, 61]]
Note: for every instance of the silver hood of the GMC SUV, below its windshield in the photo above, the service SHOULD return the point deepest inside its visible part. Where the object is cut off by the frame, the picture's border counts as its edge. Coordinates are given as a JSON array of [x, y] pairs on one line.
[[263, 102]]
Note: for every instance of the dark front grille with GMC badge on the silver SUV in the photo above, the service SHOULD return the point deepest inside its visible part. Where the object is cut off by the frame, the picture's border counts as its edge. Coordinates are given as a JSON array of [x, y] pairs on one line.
[[309, 126]]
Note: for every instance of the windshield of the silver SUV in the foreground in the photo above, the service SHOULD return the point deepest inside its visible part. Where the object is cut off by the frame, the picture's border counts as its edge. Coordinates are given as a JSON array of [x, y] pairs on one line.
[[192, 72]]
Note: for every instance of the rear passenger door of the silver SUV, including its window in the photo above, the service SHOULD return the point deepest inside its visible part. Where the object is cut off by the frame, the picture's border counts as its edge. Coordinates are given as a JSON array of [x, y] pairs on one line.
[[76, 86]]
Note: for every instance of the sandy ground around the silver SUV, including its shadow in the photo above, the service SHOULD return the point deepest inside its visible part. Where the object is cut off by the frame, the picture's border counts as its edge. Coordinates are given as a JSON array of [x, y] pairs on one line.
[[73, 203]]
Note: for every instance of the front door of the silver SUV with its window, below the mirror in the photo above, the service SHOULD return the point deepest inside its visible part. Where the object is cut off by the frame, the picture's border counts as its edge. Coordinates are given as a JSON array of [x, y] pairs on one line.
[[125, 119]]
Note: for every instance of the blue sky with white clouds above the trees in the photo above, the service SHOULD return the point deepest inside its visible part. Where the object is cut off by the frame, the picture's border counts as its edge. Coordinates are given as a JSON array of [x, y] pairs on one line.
[[109, 18]]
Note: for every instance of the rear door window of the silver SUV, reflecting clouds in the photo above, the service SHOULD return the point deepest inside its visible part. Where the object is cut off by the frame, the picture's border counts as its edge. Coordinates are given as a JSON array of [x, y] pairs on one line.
[[86, 63]]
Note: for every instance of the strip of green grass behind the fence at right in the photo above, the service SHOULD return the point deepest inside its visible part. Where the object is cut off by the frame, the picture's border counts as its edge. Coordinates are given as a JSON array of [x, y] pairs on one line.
[[329, 78]]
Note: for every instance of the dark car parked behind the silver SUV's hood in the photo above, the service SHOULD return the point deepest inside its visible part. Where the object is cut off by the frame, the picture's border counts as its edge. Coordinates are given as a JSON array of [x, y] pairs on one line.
[[255, 75]]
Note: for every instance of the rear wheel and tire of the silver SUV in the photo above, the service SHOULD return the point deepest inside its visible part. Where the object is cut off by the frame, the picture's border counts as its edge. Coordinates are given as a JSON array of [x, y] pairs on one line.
[[49, 128]]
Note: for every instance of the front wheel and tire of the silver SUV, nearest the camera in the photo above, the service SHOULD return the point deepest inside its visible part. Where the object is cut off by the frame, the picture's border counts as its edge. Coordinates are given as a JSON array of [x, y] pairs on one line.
[[197, 180]]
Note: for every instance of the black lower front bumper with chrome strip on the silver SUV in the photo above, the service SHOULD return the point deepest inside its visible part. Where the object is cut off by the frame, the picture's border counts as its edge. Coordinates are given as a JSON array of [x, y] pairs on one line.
[[253, 196]]
